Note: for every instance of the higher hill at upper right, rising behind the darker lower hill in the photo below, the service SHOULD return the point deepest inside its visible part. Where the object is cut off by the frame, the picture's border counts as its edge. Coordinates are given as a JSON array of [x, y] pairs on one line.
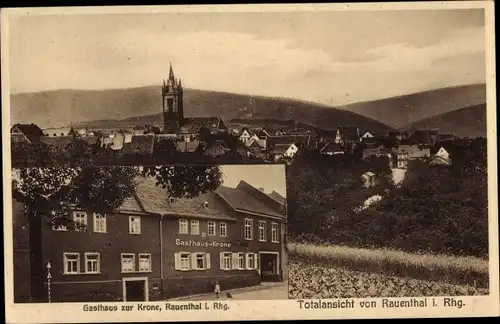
[[400, 111]]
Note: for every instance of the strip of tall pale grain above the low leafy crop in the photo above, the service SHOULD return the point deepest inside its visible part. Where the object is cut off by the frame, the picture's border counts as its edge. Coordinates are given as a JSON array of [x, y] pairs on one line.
[[459, 270]]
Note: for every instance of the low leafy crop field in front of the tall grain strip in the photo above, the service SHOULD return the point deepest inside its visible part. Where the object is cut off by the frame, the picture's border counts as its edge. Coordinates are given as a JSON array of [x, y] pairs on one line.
[[309, 280]]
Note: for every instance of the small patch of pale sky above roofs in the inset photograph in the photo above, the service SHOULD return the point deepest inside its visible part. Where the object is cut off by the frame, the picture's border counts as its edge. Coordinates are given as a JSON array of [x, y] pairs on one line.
[[269, 177]]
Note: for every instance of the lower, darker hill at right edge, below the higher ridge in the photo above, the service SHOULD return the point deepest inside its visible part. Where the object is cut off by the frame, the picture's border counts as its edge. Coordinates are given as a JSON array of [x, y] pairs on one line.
[[465, 122]]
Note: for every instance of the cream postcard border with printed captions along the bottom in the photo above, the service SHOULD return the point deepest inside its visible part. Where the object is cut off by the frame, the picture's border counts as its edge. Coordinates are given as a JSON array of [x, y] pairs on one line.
[[246, 310]]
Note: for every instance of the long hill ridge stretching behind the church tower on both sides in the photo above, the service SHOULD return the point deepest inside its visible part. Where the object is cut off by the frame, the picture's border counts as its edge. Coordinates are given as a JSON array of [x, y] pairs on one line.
[[140, 106]]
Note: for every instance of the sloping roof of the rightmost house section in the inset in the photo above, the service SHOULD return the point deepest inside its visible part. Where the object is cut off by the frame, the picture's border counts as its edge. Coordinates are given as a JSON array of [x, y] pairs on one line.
[[239, 198]]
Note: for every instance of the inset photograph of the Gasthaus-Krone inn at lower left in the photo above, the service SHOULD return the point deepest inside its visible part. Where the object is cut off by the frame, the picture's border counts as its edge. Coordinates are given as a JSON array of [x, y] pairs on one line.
[[149, 233]]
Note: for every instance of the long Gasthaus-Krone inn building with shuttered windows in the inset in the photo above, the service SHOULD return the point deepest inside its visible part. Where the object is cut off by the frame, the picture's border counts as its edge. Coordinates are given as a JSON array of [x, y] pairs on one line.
[[154, 248]]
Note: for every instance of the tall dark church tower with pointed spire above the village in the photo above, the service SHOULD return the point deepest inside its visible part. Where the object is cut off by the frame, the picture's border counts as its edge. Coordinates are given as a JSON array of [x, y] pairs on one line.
[[172, 102]]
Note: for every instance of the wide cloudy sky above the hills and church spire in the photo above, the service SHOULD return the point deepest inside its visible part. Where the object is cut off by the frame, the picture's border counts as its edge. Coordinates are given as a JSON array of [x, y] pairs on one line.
[[327, 57]]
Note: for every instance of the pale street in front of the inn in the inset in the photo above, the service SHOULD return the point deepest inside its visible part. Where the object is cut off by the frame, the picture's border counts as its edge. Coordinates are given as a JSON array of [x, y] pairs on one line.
[[262, 292]]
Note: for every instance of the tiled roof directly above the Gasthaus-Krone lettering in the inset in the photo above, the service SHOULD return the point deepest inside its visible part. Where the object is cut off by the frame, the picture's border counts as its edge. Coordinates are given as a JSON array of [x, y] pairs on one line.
[[155, 199]]
